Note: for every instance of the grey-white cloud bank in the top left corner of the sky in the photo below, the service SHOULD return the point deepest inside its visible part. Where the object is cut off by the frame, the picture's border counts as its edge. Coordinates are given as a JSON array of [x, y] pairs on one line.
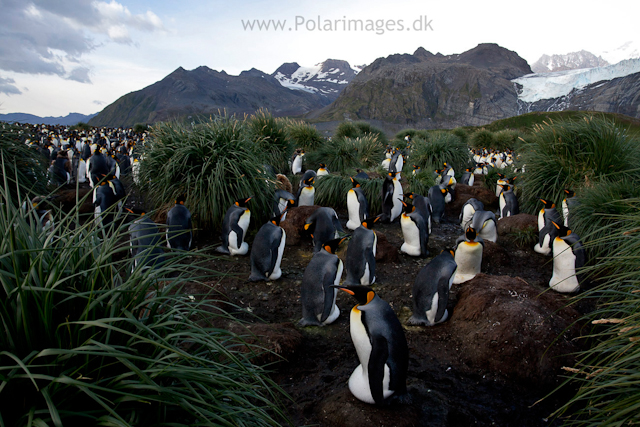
[[43, 36]]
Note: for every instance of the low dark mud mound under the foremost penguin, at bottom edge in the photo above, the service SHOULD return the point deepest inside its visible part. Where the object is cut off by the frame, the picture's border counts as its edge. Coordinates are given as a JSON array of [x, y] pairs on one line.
[[341, 409]]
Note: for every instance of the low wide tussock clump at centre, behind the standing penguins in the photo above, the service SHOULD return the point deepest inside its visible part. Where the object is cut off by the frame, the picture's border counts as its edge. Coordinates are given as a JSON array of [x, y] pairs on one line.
[[342, 154]]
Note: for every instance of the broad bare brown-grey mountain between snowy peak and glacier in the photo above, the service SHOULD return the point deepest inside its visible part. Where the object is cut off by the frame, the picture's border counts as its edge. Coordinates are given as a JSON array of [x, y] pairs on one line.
[[433, 91]]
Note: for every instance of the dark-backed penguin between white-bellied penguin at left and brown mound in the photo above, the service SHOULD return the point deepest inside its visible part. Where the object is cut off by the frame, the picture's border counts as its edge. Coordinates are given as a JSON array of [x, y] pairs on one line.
[[267, 250]]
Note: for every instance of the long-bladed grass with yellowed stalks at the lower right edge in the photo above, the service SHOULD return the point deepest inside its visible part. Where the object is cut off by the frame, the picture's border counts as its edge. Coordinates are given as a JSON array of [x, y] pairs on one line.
[[607, 373]]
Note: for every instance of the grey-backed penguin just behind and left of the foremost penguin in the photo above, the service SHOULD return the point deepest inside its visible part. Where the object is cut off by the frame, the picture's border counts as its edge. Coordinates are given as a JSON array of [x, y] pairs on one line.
[[318, 295]]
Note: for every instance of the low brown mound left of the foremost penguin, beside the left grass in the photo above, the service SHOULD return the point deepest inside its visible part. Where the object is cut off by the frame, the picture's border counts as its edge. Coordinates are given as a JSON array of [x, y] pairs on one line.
[[280, 340]]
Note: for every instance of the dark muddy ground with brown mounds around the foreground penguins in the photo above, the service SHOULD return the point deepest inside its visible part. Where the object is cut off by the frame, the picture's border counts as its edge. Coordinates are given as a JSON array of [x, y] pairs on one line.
[[489, 364]]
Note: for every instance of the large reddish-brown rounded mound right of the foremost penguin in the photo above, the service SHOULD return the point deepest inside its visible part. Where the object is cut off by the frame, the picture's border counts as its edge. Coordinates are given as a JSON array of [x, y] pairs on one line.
[[506, 326]]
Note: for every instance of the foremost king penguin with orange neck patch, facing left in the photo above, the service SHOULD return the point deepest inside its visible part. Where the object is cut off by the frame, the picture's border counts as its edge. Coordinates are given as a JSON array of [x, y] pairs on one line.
[[381, 346]]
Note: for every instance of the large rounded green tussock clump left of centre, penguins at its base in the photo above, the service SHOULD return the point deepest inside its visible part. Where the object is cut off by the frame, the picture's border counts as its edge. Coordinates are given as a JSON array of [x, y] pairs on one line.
[[213, 163]]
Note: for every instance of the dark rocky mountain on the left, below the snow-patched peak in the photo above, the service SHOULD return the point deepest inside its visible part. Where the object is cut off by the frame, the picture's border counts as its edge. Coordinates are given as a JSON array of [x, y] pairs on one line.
[[206, 91]]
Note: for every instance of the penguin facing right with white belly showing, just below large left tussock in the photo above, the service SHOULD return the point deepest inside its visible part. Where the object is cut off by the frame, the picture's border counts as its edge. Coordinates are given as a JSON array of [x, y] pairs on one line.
[[234, 228]]
